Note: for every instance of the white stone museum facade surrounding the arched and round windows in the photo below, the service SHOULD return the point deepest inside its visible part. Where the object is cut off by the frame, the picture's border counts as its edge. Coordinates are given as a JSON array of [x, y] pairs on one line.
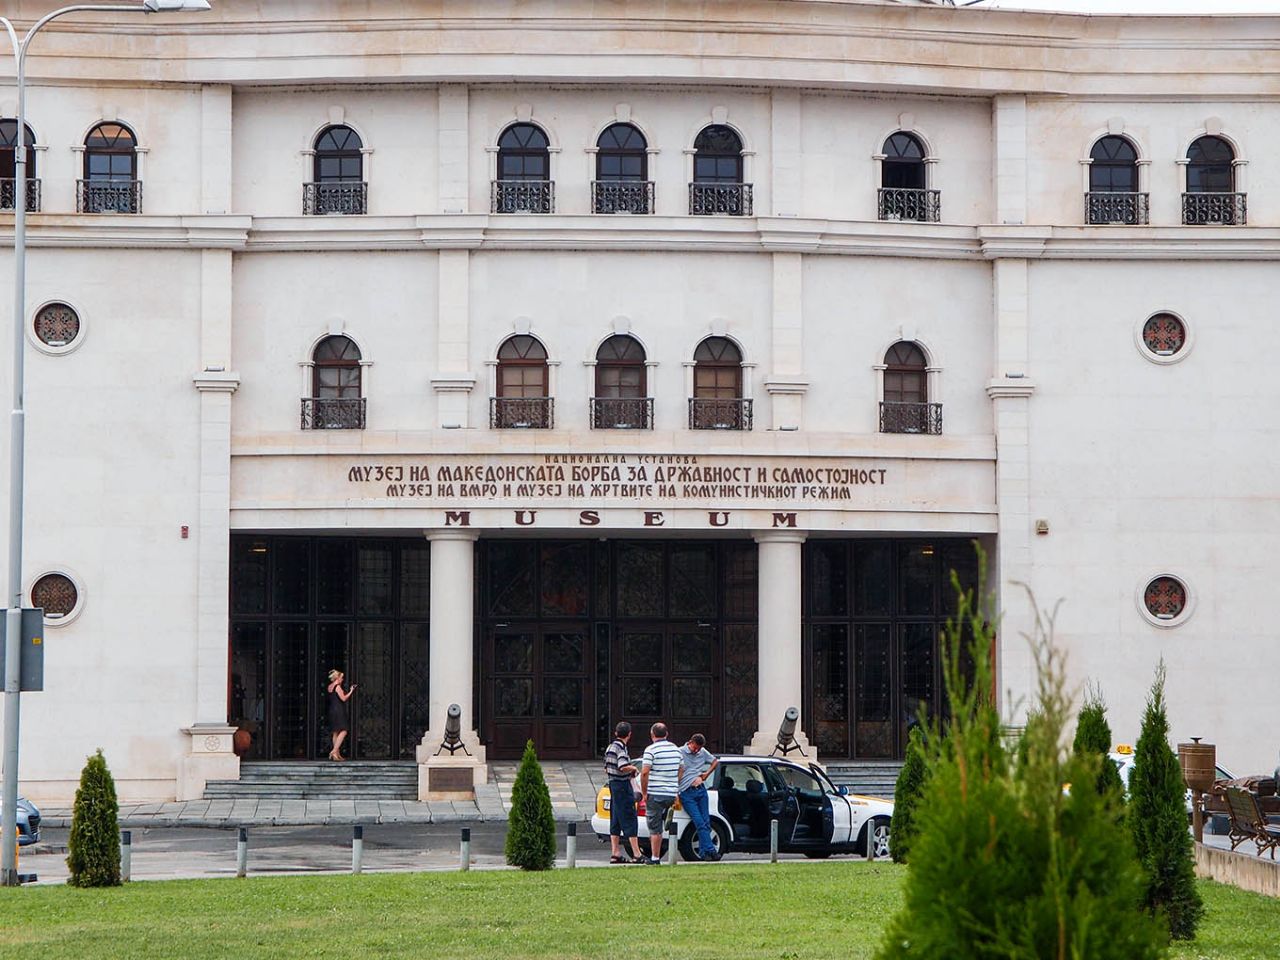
[[173, 422]]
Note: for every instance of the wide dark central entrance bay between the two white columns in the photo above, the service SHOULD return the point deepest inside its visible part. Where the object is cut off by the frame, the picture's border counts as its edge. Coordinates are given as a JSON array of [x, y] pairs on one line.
[[577, 636]]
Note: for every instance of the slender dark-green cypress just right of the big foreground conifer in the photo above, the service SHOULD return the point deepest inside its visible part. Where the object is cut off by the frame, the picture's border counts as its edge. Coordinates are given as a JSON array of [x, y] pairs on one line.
[[1158, 819]]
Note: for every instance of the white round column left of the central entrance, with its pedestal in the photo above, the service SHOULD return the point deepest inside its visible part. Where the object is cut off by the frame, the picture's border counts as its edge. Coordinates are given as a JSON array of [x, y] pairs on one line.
[[452, 660]]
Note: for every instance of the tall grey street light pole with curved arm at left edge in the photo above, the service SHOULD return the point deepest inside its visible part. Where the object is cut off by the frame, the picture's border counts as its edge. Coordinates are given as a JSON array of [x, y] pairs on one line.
[[17, 418]]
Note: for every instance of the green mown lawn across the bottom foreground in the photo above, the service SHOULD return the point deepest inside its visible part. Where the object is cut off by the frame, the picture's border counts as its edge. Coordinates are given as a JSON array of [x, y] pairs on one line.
[[790, 912]]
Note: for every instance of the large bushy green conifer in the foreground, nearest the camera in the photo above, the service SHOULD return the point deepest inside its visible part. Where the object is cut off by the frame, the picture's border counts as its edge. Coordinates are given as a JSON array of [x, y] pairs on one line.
[[1005, 863]]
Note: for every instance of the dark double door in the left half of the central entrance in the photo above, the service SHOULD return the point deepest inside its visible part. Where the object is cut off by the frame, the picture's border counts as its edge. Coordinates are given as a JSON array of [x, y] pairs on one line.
[[540, 688]]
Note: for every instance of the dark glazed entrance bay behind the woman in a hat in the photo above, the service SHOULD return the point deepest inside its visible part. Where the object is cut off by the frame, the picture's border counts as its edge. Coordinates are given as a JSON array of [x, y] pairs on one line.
[[304, 606]]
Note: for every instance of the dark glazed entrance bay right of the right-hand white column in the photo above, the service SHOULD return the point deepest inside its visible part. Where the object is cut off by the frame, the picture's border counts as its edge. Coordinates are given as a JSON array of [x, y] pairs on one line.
[[875, 614]]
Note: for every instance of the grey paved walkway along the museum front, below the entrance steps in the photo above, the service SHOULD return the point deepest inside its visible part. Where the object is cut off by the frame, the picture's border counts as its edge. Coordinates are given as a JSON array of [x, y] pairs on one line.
[[572, 785]]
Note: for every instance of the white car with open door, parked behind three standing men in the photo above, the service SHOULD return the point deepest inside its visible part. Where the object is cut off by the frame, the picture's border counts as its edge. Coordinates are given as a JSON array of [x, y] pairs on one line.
[[815, 817]]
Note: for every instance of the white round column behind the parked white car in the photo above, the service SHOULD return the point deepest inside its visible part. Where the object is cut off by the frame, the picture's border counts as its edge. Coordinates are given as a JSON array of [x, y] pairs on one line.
[[780, 632]]
